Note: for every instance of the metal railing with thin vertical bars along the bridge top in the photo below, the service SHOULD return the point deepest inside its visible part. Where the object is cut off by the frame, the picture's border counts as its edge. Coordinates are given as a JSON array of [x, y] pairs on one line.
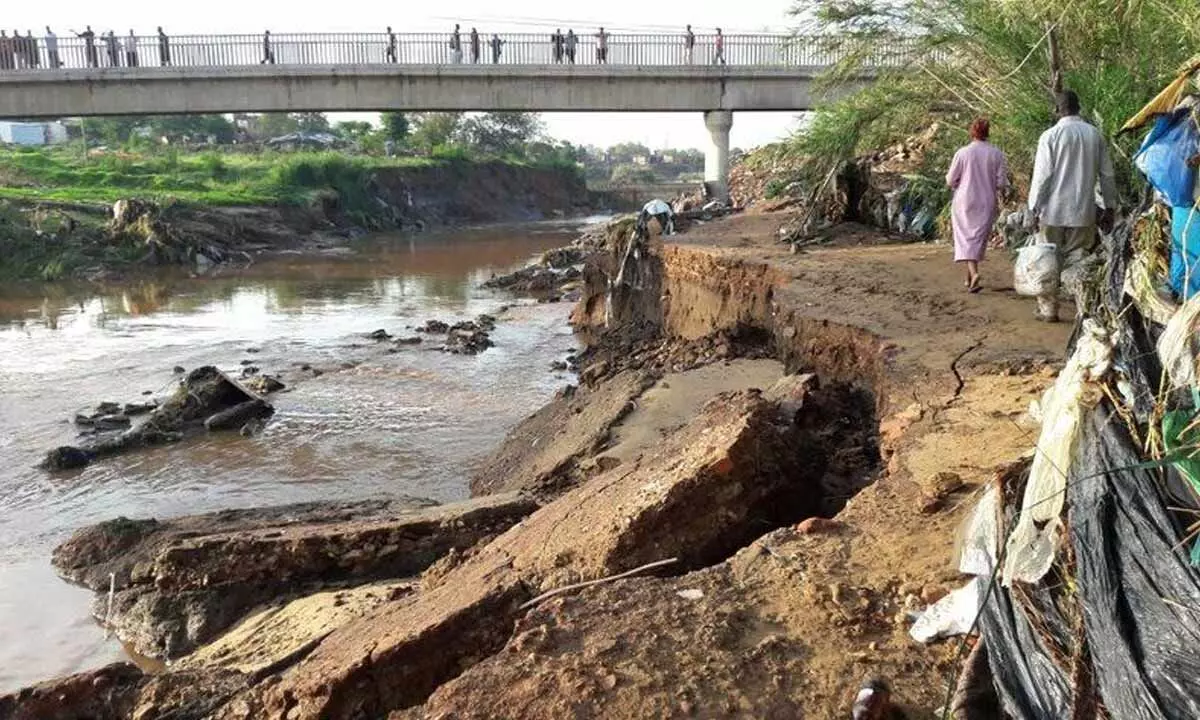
[[430, 49]]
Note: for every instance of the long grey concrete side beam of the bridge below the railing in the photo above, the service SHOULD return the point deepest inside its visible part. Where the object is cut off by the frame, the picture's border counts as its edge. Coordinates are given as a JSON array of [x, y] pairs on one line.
[[165, 91]]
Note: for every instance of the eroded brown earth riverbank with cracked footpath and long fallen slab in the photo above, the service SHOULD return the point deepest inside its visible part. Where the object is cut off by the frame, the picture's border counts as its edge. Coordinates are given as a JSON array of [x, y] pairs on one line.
[[758, 614]]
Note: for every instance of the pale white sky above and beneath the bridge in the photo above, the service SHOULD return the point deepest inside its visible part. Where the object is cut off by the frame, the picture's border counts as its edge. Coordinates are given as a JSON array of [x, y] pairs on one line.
[[656, 130]]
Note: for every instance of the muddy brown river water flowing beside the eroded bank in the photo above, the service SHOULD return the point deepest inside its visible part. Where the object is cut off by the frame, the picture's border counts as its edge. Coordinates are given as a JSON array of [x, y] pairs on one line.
[[411, 423]]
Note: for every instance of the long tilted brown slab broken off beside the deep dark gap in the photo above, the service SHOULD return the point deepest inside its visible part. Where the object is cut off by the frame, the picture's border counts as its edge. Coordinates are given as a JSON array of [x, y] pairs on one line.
[[709, 490]]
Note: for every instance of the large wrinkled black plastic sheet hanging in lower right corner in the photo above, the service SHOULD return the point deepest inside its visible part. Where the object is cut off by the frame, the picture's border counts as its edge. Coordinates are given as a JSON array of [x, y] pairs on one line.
[[1141, 597]]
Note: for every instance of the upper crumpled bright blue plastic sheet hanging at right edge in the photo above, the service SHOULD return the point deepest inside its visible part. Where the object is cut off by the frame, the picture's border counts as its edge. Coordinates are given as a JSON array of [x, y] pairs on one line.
[[1165, 158]]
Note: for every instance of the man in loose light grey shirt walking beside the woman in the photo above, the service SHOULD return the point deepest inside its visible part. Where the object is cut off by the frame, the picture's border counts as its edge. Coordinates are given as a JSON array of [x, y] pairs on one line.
[[1072, 159]]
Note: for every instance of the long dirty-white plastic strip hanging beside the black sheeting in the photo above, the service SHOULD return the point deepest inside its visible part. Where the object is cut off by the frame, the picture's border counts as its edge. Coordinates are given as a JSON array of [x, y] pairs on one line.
[[1031, 547]]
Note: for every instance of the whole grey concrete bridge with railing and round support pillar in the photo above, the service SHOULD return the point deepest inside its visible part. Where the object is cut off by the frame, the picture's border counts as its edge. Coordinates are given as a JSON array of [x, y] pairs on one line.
[[239, 74]]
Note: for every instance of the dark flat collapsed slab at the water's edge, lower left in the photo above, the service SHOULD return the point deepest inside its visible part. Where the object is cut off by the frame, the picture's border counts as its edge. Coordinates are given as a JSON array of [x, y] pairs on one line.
[[182, 583]]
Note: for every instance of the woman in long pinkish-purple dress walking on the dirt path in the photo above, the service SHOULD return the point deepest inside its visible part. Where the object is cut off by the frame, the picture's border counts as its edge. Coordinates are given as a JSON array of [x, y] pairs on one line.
[[977, 176]]
